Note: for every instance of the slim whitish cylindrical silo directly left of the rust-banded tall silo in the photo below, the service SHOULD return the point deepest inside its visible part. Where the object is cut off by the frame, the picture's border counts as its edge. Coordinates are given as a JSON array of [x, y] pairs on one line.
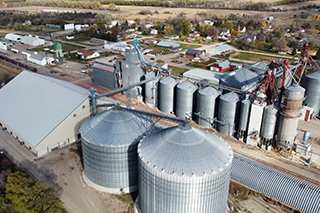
[[268, 125]]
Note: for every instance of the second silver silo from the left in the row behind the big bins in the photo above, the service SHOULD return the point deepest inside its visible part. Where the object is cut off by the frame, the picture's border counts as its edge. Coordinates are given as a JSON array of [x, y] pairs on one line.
[[166, 94]]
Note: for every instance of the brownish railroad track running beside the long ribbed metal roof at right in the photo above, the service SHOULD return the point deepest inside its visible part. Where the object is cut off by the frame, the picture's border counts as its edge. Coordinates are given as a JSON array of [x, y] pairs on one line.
[[280, 169]]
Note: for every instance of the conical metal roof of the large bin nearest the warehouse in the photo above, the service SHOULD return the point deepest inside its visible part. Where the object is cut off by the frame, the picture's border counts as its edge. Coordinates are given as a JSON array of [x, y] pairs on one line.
[[115, 127]]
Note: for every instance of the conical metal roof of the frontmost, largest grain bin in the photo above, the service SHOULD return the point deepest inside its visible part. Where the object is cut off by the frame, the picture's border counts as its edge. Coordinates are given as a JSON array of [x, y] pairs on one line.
[[185, 151]]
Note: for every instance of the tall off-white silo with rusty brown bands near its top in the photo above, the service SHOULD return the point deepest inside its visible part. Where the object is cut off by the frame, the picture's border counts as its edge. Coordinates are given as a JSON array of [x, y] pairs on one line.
[[290, 113]]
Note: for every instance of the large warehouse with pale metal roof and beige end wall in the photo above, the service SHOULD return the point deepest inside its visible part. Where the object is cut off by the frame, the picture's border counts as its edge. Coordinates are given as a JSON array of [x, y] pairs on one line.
[[41, 112]]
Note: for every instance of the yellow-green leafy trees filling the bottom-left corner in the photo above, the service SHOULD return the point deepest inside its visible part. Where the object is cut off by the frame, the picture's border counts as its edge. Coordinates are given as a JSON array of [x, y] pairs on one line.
[[20, 193]]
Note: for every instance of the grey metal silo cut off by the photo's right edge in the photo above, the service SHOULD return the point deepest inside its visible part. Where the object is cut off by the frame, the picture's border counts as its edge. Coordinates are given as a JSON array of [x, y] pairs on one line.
[[312, 86]]
